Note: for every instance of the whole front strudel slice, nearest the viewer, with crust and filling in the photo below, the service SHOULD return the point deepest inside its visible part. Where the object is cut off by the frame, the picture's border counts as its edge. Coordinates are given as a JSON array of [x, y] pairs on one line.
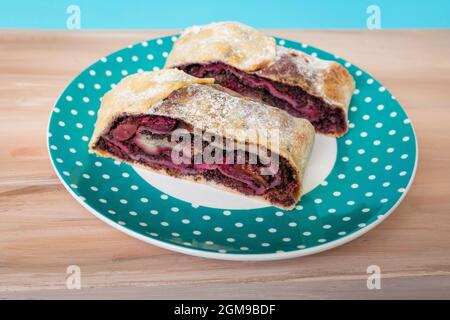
[[139, 122]]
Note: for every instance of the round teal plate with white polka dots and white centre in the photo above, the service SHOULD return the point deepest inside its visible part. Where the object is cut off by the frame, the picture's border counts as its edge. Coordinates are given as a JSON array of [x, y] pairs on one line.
[[351, 184]]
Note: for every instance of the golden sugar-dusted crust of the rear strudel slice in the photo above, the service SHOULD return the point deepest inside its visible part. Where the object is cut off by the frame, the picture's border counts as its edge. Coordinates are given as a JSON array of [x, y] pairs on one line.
[[226, 42]]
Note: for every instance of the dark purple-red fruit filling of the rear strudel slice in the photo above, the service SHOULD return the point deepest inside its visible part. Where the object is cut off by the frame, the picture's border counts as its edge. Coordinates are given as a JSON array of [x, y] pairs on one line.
[[296, 101]]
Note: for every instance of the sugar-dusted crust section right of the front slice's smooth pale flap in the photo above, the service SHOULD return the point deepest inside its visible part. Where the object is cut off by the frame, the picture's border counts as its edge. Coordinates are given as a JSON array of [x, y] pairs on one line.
[[217, 112]]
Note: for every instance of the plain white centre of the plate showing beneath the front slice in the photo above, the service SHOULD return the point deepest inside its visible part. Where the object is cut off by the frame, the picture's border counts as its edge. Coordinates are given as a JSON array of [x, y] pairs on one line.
[[320, 164]]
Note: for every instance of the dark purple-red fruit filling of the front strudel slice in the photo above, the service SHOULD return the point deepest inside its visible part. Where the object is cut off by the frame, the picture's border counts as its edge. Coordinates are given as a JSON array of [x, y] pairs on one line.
[[147, 140]]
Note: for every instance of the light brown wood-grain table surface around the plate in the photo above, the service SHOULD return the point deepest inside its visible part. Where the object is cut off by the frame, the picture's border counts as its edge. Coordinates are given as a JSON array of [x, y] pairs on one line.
[[43, 229]]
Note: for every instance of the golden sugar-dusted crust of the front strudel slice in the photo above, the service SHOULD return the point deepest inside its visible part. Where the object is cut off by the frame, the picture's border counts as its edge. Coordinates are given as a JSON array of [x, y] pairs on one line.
[[212, 109]]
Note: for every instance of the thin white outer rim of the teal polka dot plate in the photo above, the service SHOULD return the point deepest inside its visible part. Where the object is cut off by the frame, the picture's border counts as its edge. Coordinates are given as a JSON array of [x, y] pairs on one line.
[[232, 256]]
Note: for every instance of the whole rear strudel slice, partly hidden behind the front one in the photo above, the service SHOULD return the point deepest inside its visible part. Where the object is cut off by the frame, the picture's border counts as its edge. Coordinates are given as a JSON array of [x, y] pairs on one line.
[[250, 63]]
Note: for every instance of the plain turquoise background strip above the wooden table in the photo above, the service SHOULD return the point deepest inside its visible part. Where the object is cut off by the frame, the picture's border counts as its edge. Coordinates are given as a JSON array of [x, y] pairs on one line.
[[171, 14]]
